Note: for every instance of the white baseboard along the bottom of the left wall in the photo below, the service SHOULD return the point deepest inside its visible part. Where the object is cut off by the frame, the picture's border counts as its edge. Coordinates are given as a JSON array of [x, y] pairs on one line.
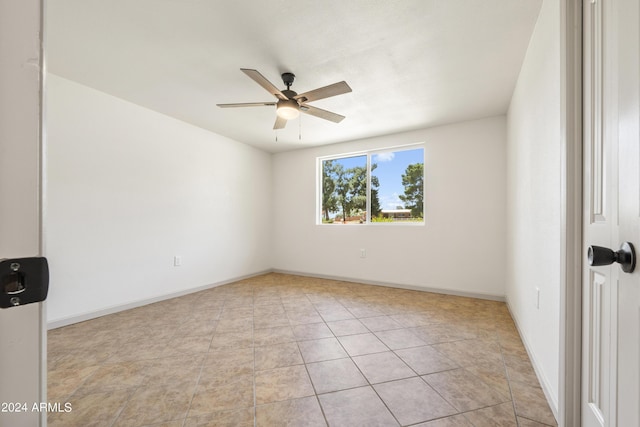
[[115, 309]]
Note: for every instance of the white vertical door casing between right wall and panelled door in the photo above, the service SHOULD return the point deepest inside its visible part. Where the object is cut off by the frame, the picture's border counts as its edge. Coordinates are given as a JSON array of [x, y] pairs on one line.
[[569, 387]]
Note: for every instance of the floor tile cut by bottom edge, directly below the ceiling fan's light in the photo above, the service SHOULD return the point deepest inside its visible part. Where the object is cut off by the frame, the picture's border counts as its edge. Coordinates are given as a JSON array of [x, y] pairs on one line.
[[304, 412]]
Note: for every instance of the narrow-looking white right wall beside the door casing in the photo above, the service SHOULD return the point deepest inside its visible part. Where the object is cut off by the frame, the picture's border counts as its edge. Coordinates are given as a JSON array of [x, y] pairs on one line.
[[533, 198]]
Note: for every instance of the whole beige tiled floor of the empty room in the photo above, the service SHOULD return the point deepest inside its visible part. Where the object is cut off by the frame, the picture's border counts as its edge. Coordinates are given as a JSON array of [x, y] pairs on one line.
[[281, 350]]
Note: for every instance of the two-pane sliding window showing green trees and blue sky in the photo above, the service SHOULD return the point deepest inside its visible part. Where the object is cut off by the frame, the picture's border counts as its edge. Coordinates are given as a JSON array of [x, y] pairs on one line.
[[384, 186]]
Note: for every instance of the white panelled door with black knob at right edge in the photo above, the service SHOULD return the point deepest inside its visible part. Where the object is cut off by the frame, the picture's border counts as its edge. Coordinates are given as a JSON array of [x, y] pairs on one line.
[[611, 298]]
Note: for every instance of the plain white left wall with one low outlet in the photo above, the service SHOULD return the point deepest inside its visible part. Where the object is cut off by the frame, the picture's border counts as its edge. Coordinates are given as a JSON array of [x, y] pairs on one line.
[[128, 188]]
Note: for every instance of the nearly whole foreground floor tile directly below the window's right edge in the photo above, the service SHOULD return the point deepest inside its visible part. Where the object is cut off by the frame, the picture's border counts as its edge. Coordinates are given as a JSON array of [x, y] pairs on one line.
[[412, 401]]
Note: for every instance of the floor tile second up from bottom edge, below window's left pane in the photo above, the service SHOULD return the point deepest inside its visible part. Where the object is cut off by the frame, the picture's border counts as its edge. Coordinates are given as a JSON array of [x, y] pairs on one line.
[[334, 375]]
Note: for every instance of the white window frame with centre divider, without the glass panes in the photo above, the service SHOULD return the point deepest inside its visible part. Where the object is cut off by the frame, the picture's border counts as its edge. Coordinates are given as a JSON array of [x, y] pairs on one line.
[[369, 154]]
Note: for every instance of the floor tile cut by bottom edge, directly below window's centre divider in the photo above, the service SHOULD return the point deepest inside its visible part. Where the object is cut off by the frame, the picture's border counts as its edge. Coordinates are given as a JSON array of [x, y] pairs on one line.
[[356, 407]]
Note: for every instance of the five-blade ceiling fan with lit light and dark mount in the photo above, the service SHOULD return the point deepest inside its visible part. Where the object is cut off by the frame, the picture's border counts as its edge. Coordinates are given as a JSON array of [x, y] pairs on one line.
[[289, 103]]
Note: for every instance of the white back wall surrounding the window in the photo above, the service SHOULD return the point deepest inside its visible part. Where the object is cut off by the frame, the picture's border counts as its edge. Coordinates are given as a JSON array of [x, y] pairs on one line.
[[461, 248]]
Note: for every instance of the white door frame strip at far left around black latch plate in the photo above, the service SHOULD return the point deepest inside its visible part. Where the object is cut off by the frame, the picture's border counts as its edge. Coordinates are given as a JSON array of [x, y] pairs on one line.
[[22, 331]]
